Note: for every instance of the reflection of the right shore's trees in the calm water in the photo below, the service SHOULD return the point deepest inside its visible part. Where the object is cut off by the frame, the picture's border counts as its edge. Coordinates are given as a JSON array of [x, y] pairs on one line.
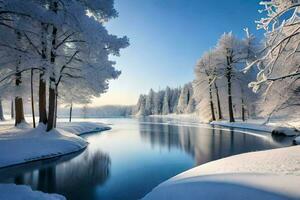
[[204, 144]]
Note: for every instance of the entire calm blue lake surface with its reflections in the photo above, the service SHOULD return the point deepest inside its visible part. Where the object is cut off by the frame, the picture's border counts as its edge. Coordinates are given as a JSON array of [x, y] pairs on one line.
[[128, 161]]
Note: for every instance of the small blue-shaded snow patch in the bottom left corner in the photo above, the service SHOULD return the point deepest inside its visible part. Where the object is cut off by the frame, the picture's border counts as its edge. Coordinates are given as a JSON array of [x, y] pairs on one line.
[[14, 192]]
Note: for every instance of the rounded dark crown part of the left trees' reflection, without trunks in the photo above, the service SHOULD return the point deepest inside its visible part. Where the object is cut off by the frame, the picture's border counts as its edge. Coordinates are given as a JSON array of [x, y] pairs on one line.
[[79, 178]]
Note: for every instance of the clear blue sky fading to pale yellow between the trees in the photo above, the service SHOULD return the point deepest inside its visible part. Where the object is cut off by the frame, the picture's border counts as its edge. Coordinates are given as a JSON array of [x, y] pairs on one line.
[[167, 37]]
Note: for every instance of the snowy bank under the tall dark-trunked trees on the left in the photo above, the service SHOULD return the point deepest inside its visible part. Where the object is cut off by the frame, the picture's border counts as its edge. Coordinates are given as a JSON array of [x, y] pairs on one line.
[[19, 146]]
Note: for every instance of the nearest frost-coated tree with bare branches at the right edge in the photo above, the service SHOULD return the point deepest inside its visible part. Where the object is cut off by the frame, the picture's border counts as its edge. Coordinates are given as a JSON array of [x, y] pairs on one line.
[[278, 74]]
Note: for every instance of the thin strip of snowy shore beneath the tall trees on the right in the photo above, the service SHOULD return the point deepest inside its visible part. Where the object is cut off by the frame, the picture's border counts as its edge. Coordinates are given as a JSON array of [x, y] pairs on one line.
[[259, 126]]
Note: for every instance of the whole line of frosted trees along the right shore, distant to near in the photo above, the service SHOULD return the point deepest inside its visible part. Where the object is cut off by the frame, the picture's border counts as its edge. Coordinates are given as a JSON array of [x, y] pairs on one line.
[[243, 77]]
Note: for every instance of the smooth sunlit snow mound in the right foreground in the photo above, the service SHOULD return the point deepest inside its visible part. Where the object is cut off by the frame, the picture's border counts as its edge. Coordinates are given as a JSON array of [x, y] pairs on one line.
[[272, 174]]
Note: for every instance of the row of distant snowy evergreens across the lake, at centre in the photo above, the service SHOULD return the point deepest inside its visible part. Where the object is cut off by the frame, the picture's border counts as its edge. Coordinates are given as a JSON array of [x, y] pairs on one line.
[[163, 102]]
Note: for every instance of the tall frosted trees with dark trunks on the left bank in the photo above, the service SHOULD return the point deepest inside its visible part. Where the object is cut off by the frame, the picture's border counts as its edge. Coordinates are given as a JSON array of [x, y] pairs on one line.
[[56, 51]]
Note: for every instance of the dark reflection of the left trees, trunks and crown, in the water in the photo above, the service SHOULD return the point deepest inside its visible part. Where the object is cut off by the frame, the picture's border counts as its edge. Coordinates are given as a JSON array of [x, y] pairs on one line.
[[75, 179]]
